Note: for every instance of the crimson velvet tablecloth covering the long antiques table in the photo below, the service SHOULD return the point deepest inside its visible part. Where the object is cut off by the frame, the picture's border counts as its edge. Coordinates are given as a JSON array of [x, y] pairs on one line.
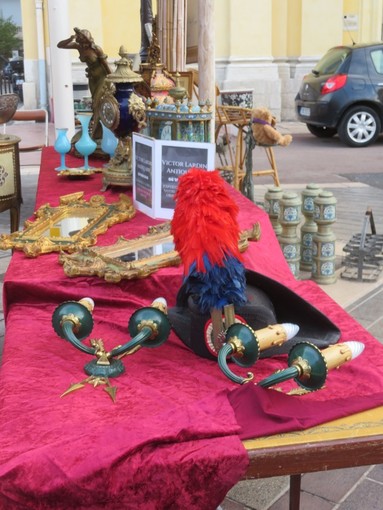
[[172, 440]]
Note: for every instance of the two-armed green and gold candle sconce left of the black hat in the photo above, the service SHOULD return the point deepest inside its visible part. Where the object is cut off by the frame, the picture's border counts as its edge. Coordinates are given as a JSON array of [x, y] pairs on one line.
[[148, 326]]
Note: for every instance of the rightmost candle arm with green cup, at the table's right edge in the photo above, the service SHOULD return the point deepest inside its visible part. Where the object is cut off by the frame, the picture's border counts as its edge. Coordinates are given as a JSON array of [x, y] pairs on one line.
[[309, 366]]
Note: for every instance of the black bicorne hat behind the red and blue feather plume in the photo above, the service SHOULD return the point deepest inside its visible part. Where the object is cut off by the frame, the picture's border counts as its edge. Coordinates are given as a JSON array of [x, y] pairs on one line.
[[269, 302]]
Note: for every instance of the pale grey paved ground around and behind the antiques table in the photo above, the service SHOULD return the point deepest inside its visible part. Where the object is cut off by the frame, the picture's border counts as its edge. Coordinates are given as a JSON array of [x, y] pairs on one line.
[[346, 489]]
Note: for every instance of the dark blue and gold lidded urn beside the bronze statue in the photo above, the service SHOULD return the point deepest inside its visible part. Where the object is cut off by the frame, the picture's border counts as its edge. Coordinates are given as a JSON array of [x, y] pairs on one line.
[[122, 111]]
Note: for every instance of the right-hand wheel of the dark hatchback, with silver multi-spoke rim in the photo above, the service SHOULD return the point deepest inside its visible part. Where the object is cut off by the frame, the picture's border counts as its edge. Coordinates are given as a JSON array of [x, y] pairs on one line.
[[359, 127]]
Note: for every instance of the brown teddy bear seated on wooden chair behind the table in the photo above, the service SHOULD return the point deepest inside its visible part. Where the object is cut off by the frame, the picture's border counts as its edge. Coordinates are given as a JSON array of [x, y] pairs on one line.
[[263, 127]]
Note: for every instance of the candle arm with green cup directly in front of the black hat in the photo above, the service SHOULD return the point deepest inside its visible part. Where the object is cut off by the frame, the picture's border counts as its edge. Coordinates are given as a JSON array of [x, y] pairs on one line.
[[243, 345]]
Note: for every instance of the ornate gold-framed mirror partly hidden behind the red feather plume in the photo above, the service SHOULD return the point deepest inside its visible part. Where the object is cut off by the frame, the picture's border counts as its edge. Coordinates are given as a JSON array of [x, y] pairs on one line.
[[135, 258]]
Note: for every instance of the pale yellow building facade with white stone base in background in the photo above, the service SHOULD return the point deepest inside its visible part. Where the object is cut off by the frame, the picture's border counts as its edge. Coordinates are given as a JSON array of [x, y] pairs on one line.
[[266, 46]]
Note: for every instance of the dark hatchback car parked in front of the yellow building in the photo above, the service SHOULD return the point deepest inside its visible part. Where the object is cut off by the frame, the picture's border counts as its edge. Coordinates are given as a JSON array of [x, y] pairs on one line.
[[344, 94]]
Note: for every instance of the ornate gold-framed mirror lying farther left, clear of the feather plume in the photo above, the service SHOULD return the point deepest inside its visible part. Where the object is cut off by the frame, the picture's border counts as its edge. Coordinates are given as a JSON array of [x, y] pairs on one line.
[[71, 226]]
